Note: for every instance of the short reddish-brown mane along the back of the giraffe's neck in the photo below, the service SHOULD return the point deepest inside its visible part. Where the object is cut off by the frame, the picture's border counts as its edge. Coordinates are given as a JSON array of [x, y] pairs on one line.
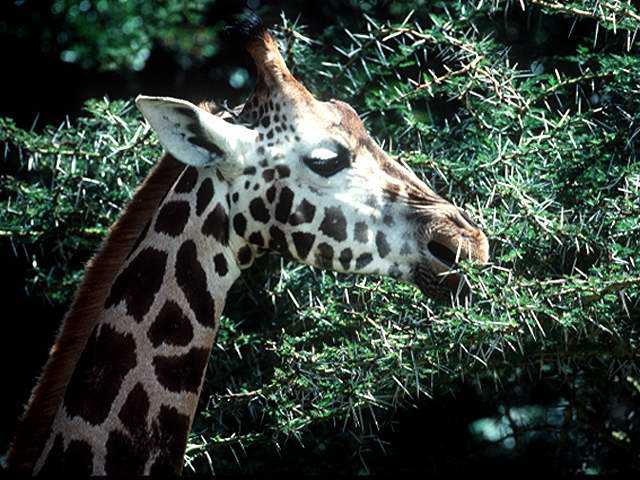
[[87, 304]]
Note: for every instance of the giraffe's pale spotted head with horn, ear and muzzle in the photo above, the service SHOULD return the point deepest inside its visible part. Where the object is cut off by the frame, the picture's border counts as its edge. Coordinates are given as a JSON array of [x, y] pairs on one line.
[[304, 178]]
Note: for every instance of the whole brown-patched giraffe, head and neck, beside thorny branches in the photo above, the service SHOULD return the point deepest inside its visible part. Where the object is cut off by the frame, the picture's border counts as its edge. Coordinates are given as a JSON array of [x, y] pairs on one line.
[[285, 172]]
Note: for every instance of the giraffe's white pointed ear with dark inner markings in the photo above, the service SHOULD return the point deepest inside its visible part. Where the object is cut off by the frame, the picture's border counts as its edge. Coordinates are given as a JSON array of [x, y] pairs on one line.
[[195, 136]]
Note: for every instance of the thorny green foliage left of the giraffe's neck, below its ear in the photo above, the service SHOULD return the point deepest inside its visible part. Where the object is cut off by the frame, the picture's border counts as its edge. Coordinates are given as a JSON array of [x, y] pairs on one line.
[[74, 182]]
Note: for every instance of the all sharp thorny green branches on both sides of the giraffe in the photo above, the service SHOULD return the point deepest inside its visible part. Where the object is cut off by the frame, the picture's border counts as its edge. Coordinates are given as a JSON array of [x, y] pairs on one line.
[[528, 114]]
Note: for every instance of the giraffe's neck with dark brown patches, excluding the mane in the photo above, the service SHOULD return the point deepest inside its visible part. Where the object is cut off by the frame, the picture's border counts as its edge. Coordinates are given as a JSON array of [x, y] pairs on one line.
[[133, 394]]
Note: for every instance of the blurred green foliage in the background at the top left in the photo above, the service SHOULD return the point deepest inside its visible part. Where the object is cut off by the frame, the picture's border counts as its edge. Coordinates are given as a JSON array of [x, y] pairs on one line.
[[116, 34]]
